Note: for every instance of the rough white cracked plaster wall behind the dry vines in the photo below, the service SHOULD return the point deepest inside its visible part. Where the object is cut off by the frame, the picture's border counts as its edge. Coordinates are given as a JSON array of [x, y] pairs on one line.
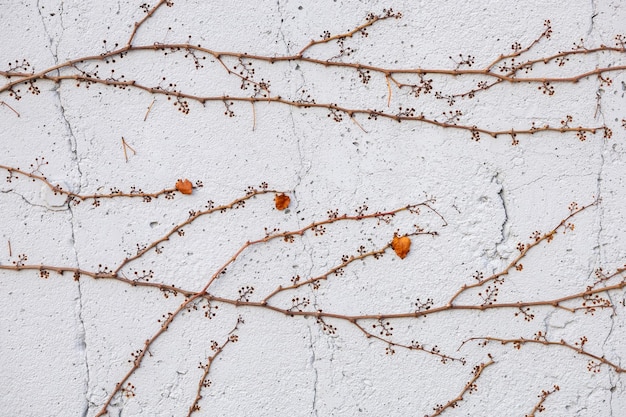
[[64, 344]]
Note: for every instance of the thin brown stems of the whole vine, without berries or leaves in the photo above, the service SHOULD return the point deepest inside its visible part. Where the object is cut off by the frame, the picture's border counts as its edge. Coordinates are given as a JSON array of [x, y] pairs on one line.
[[191, 297]]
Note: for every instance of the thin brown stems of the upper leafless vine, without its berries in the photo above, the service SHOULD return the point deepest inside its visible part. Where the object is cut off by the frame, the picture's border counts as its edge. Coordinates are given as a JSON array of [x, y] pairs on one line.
[[509, 76]]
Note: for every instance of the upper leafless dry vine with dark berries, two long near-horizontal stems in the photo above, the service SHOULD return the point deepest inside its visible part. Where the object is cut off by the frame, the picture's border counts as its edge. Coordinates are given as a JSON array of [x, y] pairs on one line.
[[506, 68]]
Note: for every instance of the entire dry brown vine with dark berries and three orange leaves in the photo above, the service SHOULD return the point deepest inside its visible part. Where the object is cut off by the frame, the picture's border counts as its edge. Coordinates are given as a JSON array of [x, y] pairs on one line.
[[507, 69]]
